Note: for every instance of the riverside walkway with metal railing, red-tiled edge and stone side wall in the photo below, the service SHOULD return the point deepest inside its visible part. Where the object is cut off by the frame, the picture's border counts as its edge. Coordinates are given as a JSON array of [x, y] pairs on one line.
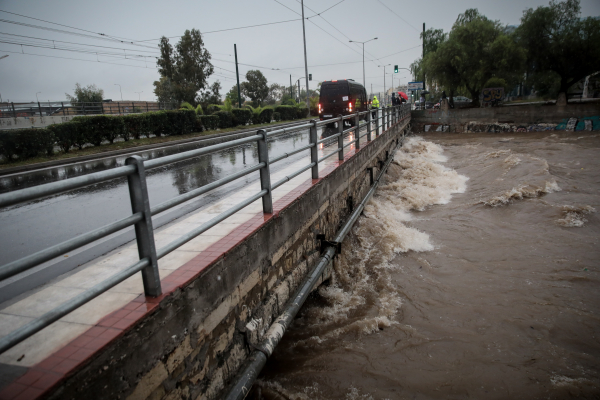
[[192, 308]]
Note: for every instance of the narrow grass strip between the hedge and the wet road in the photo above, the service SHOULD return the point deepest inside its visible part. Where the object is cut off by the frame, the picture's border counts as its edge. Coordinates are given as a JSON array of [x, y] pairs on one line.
[[131, 144]]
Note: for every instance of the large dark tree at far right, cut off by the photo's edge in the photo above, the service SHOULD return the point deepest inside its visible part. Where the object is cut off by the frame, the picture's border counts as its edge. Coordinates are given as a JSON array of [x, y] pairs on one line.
[[559, 43]]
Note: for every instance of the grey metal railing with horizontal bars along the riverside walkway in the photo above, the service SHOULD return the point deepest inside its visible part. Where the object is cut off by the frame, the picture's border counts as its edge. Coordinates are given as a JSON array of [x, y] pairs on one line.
[[141, 218]]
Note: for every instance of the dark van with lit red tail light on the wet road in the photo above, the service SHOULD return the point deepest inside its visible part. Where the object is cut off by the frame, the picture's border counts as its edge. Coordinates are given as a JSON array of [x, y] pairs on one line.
[[342, 97]]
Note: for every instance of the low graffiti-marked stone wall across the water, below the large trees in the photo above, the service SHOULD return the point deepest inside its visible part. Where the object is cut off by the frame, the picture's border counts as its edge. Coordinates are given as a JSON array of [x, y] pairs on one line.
[[510, 119]]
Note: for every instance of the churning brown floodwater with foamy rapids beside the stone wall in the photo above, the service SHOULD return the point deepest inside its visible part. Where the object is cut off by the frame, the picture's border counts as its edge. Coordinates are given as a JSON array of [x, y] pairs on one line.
[[474, 273]]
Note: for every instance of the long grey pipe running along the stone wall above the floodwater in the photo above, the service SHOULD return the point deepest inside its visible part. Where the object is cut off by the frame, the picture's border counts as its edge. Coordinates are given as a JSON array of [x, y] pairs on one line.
[[257, 360]]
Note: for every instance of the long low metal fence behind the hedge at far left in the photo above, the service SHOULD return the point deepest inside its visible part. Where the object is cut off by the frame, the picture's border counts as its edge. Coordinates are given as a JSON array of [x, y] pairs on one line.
[[64, 108]]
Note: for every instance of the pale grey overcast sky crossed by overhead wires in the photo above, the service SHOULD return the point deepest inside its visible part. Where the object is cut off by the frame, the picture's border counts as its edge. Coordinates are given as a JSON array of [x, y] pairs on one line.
[[275, 49]]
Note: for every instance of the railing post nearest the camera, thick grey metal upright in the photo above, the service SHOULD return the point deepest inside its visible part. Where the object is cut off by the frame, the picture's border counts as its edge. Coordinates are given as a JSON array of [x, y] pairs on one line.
[[138, 193]]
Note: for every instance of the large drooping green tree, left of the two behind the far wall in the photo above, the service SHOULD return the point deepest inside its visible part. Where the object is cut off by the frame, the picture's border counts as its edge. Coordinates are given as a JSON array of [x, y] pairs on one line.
[[476, 50]]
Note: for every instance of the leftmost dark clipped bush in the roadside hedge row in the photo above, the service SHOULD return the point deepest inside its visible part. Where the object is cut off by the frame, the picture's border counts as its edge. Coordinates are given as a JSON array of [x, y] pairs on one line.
[[26, 143]]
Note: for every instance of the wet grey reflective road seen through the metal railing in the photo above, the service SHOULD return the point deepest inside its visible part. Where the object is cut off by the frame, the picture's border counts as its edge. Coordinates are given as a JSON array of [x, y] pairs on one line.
[[33, 226]]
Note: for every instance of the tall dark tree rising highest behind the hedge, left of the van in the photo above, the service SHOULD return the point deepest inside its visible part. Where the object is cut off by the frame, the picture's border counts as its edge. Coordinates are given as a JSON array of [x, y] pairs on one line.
[[185, 68]]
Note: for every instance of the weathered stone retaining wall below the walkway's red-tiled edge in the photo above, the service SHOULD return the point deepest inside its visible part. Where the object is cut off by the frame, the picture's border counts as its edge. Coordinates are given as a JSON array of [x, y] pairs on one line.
[[196, 340]]
